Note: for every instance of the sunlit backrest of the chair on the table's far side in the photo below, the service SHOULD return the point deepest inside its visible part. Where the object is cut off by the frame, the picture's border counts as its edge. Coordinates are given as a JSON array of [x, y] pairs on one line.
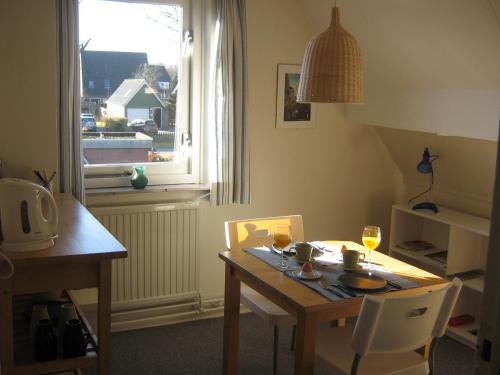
[[259, 232]]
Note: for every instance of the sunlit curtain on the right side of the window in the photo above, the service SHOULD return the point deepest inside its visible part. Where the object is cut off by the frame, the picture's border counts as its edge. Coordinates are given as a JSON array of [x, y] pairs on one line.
[[228, 140]]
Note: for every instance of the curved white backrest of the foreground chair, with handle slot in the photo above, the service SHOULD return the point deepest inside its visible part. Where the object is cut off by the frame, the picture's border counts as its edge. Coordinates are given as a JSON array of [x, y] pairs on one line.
[[403, 323]]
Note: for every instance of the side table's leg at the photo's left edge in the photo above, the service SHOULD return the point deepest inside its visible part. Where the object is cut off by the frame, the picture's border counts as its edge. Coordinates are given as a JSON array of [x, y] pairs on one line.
[[6, 322]]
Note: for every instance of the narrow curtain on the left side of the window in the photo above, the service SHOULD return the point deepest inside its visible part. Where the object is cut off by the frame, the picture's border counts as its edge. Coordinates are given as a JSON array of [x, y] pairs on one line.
[[70, 149]]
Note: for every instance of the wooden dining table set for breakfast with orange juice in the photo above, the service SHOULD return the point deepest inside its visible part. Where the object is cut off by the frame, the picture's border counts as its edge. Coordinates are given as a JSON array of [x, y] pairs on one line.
[[308, 306]]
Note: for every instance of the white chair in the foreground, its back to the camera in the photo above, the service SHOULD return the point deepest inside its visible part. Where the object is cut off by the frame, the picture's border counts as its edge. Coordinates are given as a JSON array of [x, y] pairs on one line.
[[387, 333]]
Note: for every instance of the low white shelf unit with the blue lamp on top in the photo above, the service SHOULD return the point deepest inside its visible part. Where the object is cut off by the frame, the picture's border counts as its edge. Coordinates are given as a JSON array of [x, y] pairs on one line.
[[465, 238]]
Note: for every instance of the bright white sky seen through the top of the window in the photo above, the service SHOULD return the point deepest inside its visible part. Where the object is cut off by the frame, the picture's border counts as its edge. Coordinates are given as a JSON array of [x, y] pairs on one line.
[[127, 27]]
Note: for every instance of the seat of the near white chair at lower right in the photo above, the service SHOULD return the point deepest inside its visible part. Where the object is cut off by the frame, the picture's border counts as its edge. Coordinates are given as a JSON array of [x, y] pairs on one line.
[[333, 351]]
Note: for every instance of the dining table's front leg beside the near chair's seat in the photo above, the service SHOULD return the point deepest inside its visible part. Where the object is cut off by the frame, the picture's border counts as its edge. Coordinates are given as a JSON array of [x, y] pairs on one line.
[[306, 344]]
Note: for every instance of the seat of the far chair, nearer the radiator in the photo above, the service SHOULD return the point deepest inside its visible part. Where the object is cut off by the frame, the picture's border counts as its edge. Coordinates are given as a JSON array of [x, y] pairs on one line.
[[264, 308]]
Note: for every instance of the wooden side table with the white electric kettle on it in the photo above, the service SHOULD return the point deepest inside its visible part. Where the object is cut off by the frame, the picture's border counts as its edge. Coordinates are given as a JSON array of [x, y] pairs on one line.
[[80, 258]]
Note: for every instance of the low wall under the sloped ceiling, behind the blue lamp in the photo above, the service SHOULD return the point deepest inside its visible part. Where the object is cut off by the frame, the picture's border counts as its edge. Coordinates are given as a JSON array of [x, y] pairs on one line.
[[464, 173]]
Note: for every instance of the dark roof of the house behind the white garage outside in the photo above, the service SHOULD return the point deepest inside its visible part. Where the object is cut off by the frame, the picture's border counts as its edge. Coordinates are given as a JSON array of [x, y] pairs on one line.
[[108, 67]]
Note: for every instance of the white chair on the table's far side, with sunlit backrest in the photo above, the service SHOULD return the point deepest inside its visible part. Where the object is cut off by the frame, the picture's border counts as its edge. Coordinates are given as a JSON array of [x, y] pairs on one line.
[[242, 234]]
